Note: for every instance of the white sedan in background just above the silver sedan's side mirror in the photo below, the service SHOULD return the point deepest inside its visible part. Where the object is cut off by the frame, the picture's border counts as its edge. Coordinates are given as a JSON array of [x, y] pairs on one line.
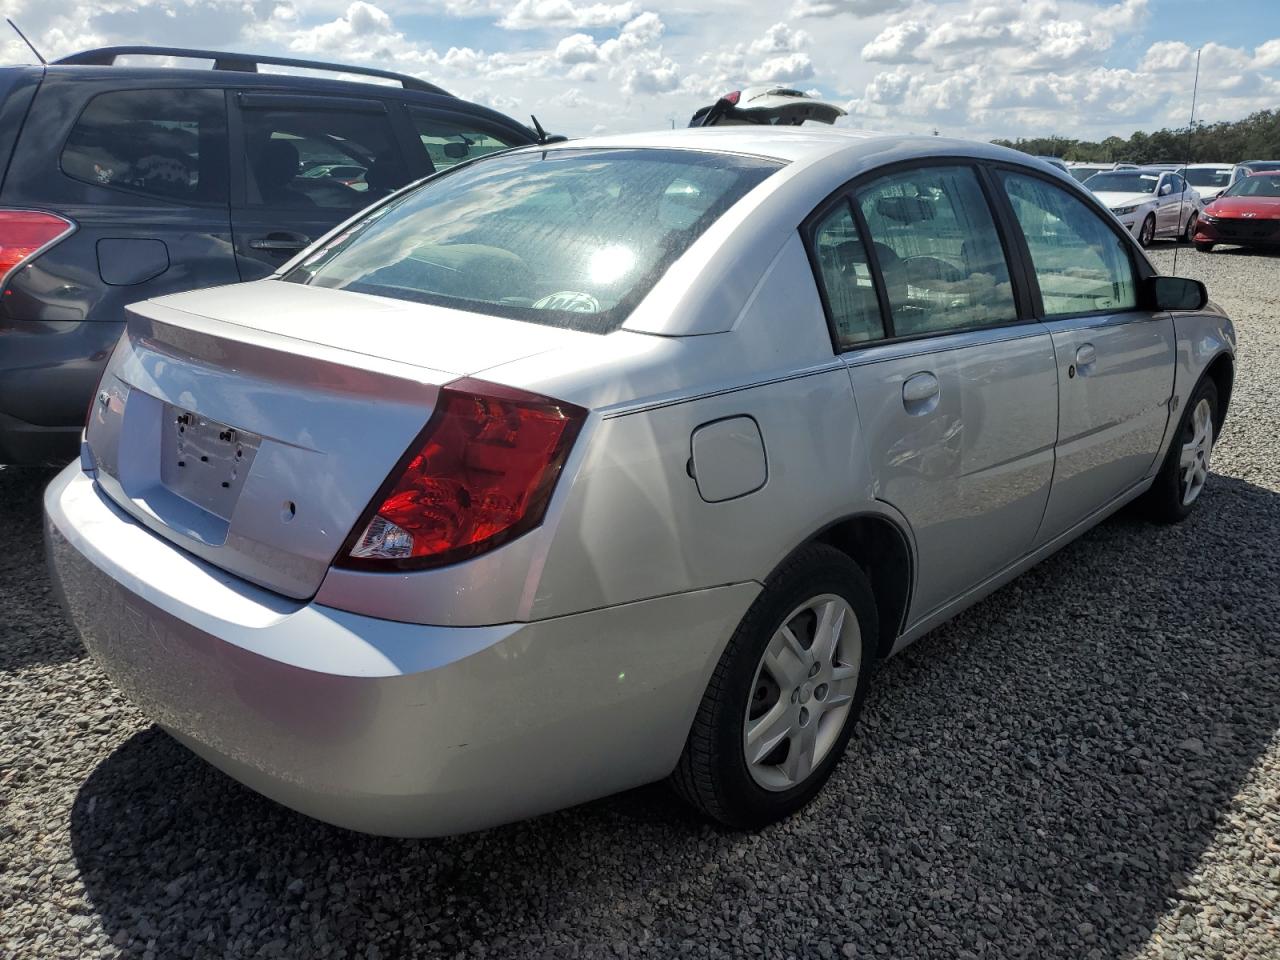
[[1153, 204]]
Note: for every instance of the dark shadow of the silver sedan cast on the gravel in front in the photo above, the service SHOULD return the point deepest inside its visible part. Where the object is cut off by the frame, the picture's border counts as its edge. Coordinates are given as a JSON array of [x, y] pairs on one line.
[[1036, 779]]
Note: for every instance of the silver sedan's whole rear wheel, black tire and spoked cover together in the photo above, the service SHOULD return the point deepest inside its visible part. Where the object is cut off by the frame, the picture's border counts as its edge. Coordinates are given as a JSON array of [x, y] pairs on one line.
[[785, 696]]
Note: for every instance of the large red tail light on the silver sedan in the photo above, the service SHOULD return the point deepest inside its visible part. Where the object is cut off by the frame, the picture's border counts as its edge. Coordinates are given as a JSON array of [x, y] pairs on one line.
[[479, 476]]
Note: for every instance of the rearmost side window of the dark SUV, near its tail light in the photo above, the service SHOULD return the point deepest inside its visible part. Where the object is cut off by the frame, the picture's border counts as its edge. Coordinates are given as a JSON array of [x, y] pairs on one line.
[[166, 144]]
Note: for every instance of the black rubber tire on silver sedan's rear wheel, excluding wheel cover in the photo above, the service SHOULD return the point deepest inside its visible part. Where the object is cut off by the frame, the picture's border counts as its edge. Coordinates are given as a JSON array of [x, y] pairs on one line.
[[822, 570]]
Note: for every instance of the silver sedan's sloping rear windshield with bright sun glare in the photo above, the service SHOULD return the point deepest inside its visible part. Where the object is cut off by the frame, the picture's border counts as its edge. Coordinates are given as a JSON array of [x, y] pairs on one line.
[[564, 237]]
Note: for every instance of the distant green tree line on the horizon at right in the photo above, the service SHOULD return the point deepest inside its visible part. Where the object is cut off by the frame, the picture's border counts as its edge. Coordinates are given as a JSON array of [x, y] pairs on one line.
[[1256, 138]]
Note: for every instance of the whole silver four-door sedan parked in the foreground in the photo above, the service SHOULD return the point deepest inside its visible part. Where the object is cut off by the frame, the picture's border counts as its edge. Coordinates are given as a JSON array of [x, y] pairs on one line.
[[586, 467]]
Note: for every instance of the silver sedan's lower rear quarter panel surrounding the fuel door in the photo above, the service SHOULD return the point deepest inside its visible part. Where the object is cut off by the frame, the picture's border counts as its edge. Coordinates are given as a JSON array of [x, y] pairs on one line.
[[637, 527]]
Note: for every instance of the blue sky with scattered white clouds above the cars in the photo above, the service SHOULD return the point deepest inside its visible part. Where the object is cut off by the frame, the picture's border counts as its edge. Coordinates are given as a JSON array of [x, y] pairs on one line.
[[968, 68]]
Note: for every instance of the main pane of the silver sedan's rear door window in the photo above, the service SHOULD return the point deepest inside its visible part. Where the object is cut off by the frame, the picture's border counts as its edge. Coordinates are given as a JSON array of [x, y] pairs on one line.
[[938, 249]]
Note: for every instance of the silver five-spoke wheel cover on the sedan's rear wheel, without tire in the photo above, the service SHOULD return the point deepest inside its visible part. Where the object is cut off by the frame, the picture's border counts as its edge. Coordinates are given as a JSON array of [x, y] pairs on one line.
[[803, 693]]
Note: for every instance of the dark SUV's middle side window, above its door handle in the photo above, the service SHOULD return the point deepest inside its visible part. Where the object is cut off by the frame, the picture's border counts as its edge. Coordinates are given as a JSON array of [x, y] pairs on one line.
[[324, 158]]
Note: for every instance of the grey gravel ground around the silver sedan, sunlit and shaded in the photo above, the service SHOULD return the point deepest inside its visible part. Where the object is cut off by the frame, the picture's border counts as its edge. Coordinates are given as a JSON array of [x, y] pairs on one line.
[[1085, 766]]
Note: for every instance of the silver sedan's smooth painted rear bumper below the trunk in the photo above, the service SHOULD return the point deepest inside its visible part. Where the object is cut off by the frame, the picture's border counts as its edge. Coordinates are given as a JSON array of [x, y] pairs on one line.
[[374, 725]]
